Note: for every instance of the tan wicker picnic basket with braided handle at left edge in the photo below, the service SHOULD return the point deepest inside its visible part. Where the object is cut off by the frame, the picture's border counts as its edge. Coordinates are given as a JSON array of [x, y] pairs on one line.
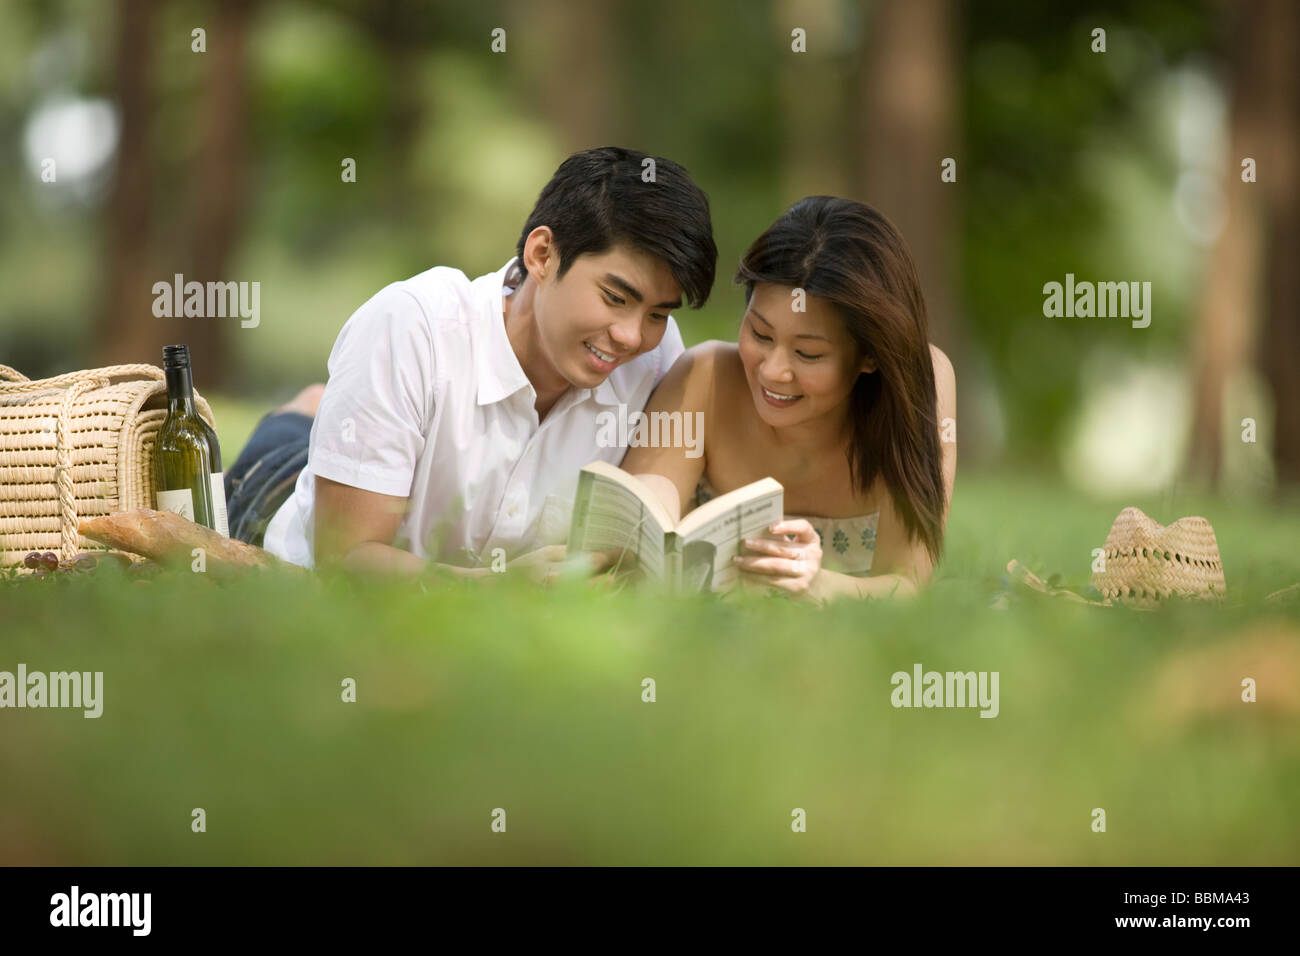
[[73, 447]]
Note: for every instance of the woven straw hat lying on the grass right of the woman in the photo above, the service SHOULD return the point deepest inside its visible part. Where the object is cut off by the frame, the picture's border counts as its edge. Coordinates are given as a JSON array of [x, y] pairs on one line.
[[1147, 563]]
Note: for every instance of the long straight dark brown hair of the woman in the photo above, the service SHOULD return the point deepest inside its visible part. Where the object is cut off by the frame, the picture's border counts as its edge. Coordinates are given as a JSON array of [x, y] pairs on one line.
[[847, 253]]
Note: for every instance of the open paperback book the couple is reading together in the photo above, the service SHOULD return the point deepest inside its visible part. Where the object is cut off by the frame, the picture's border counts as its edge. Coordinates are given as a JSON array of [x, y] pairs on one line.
[[614, 512]]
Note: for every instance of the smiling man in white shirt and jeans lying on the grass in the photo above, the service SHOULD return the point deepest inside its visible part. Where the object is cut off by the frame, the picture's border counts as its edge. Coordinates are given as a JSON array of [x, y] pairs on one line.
[[458, 413]]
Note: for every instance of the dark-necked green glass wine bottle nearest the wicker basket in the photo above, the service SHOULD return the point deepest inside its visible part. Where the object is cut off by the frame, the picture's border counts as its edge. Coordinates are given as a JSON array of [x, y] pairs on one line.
[[183, 464]]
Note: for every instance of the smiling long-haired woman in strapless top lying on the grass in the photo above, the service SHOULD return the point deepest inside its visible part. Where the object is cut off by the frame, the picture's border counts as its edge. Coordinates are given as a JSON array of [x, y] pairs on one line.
[[833, 390]]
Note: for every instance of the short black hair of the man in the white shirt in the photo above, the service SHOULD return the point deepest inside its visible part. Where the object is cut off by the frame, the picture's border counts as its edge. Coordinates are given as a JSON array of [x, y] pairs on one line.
[[600, 198]]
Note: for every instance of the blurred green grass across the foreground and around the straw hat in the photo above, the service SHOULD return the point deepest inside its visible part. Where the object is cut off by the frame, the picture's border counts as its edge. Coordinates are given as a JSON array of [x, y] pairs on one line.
[[505, 698]]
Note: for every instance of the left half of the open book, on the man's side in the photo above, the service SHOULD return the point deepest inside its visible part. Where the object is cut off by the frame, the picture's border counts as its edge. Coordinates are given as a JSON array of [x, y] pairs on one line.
[[612, 513]]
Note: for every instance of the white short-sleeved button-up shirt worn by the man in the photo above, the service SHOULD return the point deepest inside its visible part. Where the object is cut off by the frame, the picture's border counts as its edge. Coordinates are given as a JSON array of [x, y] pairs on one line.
[[427, 400]]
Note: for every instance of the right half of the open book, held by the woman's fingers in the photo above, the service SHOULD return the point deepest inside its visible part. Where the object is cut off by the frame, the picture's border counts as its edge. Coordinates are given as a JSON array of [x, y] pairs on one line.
[[713, 534]]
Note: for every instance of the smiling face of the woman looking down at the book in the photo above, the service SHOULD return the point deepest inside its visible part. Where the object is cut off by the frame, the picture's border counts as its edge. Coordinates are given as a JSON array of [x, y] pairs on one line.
[[800, 365]]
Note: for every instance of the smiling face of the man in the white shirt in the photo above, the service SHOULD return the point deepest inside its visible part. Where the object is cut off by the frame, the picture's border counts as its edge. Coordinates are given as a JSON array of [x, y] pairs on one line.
[[608, 309]]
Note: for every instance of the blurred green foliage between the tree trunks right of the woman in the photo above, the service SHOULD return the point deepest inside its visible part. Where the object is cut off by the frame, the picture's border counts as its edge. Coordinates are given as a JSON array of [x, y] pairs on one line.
[[1072, 159]]
